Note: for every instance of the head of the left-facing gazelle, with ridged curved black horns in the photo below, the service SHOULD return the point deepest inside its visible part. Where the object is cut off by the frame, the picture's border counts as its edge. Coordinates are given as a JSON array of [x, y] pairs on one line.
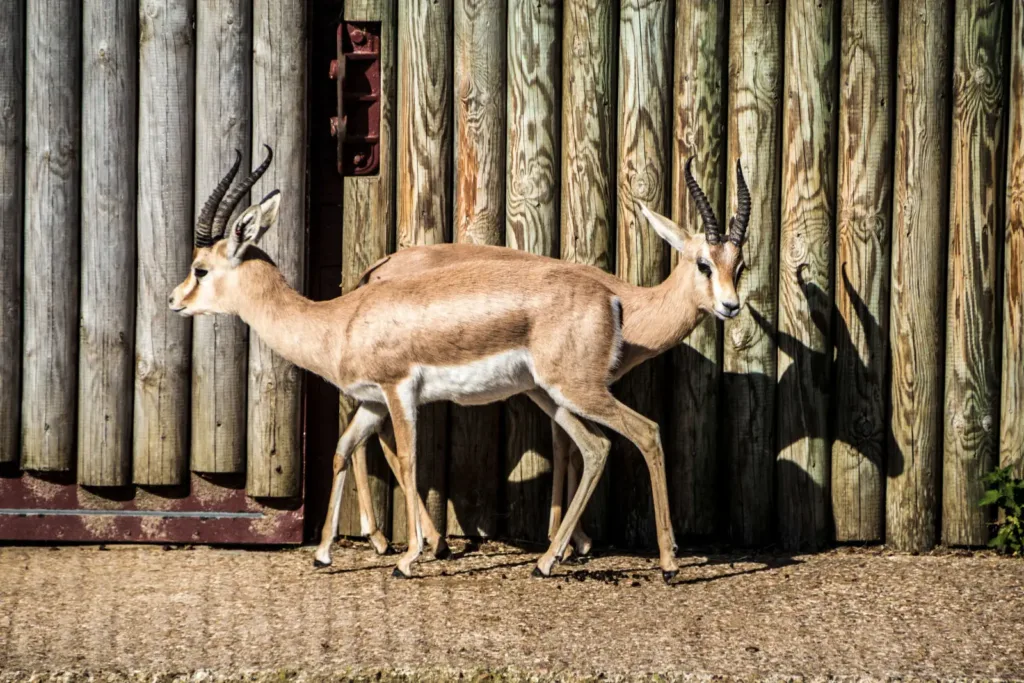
[[219, 260]]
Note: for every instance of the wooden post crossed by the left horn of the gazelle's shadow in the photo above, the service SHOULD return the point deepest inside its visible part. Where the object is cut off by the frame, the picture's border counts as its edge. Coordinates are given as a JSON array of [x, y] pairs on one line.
[[805, 272]]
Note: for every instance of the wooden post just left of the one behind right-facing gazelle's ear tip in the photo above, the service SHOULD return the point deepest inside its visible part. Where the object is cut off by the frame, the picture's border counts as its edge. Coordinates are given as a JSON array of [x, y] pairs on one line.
[[588, 200]]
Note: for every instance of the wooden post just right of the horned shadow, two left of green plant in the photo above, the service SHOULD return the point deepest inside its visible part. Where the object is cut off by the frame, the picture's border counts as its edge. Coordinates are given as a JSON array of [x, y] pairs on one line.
[[921, 210]]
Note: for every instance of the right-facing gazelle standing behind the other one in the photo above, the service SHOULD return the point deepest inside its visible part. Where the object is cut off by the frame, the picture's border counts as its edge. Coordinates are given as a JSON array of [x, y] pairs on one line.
[[710, 289]]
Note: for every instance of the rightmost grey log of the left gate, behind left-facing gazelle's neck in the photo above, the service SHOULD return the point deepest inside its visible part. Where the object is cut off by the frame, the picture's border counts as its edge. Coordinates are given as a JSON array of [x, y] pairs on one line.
[[275, 439]]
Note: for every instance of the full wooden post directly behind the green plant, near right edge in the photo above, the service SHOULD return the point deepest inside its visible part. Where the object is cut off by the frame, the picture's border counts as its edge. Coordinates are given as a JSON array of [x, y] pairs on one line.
[[972, 397]]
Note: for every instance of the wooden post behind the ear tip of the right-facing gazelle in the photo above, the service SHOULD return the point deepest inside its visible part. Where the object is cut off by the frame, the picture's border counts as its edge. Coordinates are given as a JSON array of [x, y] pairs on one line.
[[643, 258]]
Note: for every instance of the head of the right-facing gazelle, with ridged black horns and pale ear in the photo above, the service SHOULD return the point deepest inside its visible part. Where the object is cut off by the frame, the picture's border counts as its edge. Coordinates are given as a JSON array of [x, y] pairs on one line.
[[712, 262]]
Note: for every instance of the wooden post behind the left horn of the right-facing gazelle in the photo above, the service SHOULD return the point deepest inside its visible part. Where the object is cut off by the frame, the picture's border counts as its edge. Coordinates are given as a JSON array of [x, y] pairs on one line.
[[699, 132]]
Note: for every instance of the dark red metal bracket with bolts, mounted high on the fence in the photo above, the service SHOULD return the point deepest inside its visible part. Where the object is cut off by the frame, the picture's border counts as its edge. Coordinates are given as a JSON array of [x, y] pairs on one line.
[[358, 73]]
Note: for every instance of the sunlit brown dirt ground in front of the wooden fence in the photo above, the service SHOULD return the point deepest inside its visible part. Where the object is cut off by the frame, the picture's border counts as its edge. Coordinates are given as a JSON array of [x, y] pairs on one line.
[[148, 614]]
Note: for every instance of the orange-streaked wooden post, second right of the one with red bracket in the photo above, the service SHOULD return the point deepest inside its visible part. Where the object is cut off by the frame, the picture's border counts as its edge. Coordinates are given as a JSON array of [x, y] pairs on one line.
[[476, 457]]
